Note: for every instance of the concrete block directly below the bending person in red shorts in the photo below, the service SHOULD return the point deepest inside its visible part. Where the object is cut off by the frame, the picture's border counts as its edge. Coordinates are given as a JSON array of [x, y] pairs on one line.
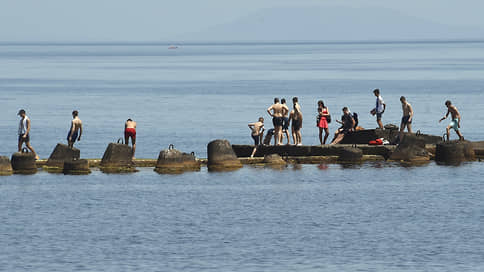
[[117, 159]]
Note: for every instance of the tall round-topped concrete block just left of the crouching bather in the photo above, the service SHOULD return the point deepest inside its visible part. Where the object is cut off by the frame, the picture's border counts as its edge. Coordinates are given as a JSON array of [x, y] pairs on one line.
[[221, 156]]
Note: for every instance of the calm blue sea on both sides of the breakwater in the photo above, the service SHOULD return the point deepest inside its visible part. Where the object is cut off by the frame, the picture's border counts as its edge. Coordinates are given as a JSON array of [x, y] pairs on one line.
[[377, 216]]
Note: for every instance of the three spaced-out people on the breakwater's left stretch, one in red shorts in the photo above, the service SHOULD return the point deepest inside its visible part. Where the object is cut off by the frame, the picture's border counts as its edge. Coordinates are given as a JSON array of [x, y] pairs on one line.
[[74, 134]]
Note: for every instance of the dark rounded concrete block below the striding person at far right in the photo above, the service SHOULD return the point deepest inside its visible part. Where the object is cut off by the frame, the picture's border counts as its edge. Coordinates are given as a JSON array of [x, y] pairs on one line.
[[454, 152]]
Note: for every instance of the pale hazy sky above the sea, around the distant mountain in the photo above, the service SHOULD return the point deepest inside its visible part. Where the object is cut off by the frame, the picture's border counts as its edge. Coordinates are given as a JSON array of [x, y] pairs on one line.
[[161, 20]]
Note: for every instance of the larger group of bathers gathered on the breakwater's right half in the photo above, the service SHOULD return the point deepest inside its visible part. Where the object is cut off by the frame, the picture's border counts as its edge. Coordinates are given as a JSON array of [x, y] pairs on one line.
[[282, 118]]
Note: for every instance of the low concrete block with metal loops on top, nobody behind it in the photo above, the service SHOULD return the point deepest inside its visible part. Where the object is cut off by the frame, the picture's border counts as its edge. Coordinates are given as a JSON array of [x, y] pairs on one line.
[[173, 161]]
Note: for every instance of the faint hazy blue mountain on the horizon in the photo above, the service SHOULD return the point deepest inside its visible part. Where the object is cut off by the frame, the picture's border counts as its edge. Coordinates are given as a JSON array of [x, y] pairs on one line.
[[333, 24]]
